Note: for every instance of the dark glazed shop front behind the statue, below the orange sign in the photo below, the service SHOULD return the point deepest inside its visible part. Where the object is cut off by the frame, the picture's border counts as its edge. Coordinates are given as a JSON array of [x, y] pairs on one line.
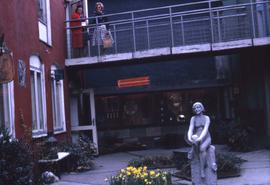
[[153, 119]]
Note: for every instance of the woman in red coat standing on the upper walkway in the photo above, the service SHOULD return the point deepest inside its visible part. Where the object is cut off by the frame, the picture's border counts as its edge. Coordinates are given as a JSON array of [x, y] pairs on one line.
[[77, 33]]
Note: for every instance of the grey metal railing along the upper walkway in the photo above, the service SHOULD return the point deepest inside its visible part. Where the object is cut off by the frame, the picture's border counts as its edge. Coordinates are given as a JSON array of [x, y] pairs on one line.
[[174, 26]]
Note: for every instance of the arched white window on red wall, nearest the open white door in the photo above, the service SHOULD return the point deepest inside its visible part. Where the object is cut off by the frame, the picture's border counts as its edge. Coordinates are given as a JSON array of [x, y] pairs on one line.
[[59, 122]]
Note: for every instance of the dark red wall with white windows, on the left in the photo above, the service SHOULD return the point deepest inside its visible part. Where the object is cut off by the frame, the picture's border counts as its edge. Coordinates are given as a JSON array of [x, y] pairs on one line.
[[35, 103]]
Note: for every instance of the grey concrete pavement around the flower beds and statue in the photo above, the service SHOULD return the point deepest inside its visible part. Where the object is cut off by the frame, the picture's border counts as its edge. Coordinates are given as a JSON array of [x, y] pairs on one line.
[[256, 171]]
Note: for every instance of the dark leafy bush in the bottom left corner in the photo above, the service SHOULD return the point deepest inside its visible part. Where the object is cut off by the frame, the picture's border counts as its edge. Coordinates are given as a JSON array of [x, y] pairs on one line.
[[15, 161]]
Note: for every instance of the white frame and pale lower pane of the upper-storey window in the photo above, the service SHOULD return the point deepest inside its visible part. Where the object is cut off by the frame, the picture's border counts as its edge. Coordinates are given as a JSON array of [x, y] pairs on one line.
[[45, 29]]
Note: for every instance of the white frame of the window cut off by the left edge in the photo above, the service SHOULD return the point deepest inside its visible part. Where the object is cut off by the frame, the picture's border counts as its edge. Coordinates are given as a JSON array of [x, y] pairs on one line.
[[8, 100]]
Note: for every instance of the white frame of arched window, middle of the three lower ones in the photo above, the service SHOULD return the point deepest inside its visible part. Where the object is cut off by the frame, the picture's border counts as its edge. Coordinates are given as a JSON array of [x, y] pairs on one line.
[[37, 67]]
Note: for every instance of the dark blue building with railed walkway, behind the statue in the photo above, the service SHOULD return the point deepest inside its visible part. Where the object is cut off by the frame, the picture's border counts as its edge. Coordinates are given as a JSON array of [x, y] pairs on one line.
[[165, 57]]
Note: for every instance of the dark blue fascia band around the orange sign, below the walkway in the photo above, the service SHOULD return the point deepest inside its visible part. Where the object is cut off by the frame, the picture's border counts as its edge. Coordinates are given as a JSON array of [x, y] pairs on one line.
[[166, 75]]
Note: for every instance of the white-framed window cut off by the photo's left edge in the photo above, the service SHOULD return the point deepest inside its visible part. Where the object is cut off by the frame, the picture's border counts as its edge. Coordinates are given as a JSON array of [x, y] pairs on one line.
[[7, 107]]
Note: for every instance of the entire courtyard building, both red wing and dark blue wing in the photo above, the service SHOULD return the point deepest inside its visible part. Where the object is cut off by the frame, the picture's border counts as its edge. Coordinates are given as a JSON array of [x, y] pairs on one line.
[[139, 92]]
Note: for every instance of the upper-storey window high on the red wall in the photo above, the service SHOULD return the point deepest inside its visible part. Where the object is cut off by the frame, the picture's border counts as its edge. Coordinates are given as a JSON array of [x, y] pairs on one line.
[[44, 23]]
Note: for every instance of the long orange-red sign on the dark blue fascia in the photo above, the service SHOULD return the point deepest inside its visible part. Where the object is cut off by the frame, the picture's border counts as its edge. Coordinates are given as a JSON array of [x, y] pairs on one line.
[[132, 82]]
